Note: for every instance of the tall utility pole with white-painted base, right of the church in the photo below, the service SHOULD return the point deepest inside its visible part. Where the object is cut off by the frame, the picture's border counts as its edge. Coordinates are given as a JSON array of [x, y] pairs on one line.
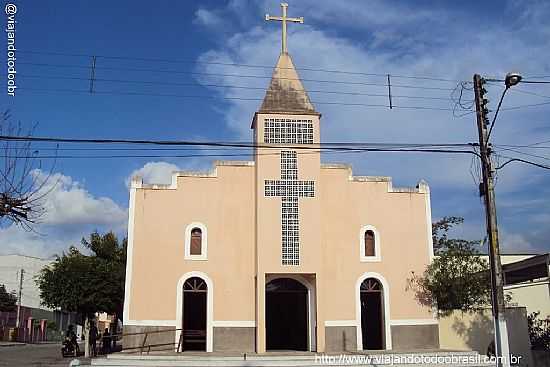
[[502, 348]]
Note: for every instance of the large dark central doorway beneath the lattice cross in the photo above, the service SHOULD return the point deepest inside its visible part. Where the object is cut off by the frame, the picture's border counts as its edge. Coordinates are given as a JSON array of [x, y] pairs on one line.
[[286, 315]]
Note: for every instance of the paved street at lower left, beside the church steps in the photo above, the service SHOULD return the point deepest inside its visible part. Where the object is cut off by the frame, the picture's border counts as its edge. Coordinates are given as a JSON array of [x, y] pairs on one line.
[[36, 355]]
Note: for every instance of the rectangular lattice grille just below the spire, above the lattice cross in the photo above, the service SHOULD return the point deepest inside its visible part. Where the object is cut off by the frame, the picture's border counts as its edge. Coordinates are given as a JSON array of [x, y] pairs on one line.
[[288, 131]]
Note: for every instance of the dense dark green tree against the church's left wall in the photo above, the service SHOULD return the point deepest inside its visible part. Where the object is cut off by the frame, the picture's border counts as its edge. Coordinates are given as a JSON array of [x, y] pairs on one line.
[[87, 283]]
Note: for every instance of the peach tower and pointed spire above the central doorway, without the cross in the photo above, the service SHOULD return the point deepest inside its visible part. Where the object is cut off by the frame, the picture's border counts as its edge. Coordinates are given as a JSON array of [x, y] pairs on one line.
[[287, 158]]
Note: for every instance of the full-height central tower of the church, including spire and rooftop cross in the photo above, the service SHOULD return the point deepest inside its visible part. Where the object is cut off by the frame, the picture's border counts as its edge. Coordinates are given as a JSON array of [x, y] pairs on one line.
[[287, 165]]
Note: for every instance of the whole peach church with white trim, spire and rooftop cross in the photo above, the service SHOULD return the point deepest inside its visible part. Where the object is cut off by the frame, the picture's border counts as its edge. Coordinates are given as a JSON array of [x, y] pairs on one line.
[[281, 252]]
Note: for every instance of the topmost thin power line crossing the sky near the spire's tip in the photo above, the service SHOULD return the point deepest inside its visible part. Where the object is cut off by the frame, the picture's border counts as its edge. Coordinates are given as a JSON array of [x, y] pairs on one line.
[[188, 61]]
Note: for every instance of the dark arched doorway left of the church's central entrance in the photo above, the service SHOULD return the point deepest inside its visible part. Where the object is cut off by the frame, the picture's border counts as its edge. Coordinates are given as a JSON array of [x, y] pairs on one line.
[[194, 314]]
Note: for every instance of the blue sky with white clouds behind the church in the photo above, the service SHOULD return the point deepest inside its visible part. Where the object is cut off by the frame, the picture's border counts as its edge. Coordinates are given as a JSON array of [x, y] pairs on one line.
[[450, 40]]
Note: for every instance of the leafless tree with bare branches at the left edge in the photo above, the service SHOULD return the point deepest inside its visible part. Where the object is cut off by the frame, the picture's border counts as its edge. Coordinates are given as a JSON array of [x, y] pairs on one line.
[[23, 186]]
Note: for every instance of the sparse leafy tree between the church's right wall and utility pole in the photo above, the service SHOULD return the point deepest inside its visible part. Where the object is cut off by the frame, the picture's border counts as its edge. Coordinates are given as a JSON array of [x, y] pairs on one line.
[[458, 278]]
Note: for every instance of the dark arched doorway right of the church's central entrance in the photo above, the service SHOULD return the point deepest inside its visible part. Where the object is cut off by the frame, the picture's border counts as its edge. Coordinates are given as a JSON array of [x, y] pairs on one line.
[[372, 321]]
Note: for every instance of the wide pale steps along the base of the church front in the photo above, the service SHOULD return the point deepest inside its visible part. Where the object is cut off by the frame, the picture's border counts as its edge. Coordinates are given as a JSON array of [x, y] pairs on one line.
[[291, 359]]
